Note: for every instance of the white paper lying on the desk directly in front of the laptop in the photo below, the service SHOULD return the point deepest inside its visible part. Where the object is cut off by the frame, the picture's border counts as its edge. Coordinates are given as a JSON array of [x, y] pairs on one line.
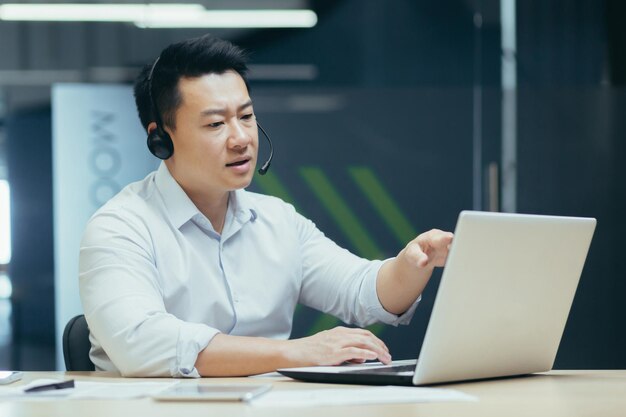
[[356, 396]]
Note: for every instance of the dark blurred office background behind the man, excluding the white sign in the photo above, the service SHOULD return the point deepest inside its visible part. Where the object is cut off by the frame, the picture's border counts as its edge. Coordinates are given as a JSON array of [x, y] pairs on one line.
[[388, 118]]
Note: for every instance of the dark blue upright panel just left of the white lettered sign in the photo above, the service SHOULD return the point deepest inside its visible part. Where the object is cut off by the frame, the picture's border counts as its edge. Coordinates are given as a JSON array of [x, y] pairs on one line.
[[32, 267]]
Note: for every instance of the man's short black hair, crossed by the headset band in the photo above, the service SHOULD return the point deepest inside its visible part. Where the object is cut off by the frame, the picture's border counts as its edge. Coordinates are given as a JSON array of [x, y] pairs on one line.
[[190, 58]]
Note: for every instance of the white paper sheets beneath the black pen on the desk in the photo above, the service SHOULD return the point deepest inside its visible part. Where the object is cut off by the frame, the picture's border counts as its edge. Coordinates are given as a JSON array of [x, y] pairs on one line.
[[89, 390]]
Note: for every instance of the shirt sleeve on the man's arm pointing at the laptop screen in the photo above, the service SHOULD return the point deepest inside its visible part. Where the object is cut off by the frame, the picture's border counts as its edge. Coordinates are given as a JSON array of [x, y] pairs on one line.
[[340, 283]]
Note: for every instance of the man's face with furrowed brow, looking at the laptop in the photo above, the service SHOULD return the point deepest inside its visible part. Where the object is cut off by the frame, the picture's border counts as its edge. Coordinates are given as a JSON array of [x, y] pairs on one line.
[[216, 137]]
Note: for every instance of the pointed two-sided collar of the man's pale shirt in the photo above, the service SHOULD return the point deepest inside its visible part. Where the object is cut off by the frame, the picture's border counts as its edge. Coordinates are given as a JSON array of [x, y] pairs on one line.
[[181, 209]]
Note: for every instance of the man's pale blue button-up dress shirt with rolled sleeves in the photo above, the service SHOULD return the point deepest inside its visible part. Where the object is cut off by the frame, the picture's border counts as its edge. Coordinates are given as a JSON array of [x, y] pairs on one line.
[[157, 283]]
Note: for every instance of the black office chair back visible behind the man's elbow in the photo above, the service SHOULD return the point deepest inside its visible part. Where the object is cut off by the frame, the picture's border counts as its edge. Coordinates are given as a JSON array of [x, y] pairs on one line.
[[76, 345]]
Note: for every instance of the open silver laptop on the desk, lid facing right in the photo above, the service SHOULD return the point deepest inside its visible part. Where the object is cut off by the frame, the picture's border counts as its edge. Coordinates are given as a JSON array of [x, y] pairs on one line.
[[501, 307]]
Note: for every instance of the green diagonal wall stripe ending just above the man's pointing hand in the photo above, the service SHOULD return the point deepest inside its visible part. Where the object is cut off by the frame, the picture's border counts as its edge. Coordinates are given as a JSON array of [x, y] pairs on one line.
[[384, 205]]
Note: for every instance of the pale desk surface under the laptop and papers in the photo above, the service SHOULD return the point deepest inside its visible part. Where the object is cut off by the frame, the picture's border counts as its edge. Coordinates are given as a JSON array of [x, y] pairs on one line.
[[555, 394]]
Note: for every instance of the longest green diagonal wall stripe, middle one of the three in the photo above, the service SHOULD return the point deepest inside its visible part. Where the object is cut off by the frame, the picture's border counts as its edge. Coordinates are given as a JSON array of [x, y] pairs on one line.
[[338, 209]]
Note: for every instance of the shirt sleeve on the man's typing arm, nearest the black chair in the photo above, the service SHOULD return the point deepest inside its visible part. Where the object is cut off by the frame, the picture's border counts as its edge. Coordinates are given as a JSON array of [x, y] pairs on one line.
[[123, 304]]
